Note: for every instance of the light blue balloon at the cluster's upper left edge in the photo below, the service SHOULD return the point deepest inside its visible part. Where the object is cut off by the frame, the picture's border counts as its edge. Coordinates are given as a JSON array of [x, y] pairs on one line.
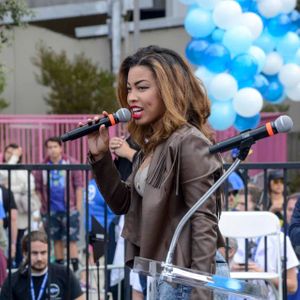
[[199, 23]]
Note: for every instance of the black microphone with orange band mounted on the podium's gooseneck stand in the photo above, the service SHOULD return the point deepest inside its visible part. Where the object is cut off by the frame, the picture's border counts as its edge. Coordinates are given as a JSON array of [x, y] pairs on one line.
[[281, 124]]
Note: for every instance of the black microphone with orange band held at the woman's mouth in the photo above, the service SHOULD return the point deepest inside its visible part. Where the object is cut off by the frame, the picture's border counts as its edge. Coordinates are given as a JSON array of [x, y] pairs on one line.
[[122, 115]]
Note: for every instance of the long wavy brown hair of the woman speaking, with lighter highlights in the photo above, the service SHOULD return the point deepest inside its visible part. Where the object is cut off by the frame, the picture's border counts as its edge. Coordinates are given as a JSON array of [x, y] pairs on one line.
[[182, 93]]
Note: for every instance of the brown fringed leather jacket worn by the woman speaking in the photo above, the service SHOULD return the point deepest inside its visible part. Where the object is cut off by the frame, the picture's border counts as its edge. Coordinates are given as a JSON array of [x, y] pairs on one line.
[[180, 172]]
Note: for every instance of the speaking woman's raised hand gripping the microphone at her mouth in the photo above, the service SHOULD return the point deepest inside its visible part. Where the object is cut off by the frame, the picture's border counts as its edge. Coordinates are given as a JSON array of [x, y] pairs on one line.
[[98, 141]]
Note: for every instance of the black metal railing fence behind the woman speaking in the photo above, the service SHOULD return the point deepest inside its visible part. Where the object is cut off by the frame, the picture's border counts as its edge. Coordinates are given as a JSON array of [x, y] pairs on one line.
[[286, 167]]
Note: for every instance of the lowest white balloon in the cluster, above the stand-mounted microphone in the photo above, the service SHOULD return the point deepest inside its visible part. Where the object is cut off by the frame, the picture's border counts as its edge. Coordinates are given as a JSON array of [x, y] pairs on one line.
[[247, 102]]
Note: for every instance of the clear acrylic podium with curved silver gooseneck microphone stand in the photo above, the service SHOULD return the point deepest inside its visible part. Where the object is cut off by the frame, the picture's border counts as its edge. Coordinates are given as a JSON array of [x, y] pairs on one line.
[[168, 272]]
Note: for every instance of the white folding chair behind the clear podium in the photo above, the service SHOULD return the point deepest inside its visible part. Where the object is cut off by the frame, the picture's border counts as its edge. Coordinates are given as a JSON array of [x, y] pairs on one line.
[[254, 224]]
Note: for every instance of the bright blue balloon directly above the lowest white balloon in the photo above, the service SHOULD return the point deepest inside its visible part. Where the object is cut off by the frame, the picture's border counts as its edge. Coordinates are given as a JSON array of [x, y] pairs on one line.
[[243, 67]]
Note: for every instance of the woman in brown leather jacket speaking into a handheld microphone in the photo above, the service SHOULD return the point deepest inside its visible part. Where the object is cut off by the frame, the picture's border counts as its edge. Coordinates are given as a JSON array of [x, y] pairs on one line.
[[172, 171]]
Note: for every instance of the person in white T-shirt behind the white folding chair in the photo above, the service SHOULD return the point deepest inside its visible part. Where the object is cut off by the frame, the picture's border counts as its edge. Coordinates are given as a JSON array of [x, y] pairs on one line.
[[256, 251]]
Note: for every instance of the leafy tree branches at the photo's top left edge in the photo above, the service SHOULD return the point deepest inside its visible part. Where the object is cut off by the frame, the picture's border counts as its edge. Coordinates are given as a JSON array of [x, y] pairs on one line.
[[16, 10]]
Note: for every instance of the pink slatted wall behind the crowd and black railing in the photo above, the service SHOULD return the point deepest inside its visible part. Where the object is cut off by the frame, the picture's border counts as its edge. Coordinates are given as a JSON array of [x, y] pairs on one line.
[[30, 131]]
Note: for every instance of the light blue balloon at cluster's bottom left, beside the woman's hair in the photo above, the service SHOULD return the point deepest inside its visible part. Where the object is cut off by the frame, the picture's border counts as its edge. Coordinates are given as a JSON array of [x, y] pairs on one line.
[[222, 115]]
